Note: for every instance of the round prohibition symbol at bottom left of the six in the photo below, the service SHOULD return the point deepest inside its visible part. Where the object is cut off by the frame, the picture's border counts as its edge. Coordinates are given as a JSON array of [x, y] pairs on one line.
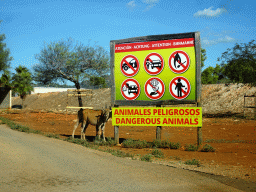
[[130, 89]]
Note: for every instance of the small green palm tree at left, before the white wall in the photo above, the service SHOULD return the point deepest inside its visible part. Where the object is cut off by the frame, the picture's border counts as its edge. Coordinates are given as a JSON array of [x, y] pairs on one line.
[[22, 81]]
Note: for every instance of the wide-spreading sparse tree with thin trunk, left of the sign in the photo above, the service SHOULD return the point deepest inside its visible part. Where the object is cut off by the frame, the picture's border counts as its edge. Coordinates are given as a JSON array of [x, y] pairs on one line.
[[64, 60]]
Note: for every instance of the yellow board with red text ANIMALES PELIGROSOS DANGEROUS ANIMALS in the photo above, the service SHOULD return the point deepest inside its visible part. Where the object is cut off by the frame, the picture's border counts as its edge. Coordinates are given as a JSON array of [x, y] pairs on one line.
[[157, 116]]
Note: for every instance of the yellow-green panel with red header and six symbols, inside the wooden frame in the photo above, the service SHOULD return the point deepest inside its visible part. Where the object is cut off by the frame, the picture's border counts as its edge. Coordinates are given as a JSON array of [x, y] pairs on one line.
[[156, 71]]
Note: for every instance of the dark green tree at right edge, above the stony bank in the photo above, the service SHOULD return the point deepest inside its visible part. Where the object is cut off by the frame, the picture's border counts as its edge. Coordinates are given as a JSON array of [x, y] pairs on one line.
[[239, 63]]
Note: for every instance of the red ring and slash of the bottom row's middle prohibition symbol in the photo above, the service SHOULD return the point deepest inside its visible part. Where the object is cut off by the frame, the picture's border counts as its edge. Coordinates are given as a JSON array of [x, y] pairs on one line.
[[148, 84]]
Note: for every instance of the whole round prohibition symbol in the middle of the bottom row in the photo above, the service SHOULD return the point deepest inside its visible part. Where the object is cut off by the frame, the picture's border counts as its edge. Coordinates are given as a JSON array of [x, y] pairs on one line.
[[154, 88]]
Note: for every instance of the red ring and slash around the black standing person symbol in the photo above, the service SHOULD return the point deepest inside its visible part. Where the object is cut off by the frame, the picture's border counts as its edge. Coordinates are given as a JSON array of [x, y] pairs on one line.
[[185, 93]]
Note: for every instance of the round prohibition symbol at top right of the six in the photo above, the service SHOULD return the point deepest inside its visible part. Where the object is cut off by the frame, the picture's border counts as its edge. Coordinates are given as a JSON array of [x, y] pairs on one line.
[[179, 61]]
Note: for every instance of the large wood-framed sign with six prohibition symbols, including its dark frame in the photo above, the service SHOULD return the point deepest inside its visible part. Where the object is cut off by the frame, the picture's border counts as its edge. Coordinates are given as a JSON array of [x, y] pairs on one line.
[[160, 58]]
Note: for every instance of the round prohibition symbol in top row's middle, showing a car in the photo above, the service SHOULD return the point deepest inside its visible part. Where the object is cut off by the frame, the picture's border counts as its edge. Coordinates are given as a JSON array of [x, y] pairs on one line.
[[158, 64]]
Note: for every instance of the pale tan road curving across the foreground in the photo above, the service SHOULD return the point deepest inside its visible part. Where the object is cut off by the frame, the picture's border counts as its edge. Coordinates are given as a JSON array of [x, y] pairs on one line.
[[30, 162]]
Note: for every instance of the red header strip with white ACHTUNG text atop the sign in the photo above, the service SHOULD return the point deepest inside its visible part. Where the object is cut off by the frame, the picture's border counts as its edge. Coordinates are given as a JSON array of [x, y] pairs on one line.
[[152, 45]]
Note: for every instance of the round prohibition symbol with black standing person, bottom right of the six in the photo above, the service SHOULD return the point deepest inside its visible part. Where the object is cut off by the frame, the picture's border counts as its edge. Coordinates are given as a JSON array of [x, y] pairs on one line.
[[179, 88]]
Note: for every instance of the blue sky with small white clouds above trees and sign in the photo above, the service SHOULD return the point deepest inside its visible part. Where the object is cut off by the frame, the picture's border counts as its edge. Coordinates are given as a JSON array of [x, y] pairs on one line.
[[28, 24]]
